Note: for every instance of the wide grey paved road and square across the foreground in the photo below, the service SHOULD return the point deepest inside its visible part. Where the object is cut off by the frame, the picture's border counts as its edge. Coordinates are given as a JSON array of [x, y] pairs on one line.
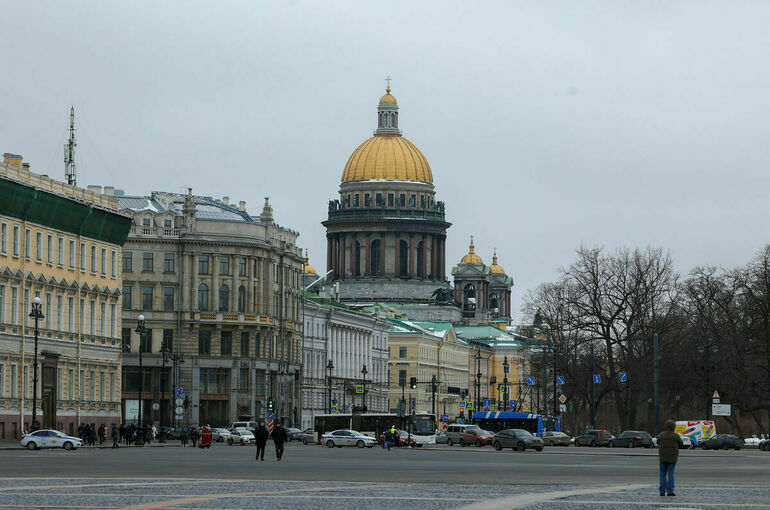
[[316, 477]]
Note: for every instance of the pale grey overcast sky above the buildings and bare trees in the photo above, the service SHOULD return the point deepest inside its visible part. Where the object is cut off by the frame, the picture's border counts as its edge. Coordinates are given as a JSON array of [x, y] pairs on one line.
[[546, 124]]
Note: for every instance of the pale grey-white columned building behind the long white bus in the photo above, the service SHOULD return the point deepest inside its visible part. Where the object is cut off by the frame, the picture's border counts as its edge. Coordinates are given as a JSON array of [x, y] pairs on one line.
[[350, 340]]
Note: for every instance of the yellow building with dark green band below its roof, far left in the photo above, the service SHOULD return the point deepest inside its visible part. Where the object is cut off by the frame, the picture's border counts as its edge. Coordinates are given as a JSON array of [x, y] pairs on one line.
[[62, 244]]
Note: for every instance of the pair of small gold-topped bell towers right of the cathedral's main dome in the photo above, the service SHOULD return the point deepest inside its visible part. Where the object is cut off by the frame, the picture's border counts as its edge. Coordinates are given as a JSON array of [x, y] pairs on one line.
[[483, 292]]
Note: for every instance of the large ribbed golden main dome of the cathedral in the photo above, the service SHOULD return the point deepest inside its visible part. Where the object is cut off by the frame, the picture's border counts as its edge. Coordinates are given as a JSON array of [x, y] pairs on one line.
[[388, 157]]
